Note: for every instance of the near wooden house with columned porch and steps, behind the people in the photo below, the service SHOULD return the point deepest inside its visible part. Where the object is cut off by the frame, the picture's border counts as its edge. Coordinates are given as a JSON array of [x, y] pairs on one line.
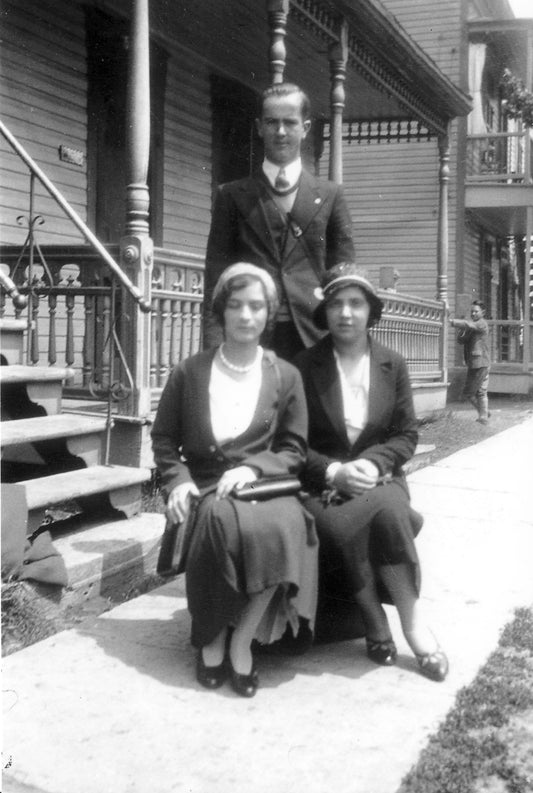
[[119, 118]]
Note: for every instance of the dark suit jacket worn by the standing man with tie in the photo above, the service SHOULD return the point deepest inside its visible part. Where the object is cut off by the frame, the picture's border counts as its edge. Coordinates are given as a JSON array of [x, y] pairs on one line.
[[320, 235]]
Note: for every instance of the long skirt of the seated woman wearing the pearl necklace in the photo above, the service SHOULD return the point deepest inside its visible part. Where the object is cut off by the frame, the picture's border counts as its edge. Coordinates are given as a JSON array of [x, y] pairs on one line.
[[242, 548]]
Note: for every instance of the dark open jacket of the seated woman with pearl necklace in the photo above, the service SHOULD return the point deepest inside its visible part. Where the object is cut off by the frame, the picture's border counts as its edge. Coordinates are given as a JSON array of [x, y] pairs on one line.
[[182, 437]]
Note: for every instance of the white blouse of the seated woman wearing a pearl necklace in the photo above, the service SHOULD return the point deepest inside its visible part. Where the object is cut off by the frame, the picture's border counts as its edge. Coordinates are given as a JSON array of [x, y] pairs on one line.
[[232, 403]]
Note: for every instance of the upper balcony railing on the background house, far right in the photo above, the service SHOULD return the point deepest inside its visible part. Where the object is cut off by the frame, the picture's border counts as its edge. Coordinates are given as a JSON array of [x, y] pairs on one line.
[[504, 157]]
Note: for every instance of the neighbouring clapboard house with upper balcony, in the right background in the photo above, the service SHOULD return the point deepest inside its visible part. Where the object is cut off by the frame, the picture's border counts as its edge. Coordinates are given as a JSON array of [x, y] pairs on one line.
[[394, 198]]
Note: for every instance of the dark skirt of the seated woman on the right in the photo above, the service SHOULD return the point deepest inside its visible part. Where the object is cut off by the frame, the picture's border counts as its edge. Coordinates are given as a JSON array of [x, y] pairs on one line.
[[356, 537]]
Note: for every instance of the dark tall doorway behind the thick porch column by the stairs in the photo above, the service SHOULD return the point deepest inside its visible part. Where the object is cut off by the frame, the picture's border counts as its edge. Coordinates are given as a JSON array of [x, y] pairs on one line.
[[107, 65]]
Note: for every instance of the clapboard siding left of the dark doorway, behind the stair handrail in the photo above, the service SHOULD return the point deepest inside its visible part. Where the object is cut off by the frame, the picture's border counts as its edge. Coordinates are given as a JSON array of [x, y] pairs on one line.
[[43, 94]]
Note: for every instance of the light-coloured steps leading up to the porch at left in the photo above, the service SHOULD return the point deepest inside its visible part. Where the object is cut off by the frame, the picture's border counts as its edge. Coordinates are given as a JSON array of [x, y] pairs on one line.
[[55, 476]]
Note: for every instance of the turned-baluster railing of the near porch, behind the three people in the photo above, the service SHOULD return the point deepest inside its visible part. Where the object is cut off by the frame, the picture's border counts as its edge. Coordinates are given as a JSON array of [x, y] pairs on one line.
[[71, 302]]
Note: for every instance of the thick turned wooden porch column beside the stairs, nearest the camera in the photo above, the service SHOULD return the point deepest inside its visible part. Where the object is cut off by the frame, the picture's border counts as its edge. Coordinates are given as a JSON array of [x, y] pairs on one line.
[[136, 247]]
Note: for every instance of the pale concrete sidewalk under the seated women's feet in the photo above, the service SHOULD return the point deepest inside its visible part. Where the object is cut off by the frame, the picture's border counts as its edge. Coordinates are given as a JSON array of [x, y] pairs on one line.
[[113, 706]]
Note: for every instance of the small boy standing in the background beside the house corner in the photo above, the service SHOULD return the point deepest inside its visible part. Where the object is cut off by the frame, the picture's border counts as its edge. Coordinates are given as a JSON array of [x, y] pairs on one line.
[[474, 335]]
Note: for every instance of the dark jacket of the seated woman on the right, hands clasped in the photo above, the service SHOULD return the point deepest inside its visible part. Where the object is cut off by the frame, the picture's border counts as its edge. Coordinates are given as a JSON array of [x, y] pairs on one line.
[[390, 436]]
